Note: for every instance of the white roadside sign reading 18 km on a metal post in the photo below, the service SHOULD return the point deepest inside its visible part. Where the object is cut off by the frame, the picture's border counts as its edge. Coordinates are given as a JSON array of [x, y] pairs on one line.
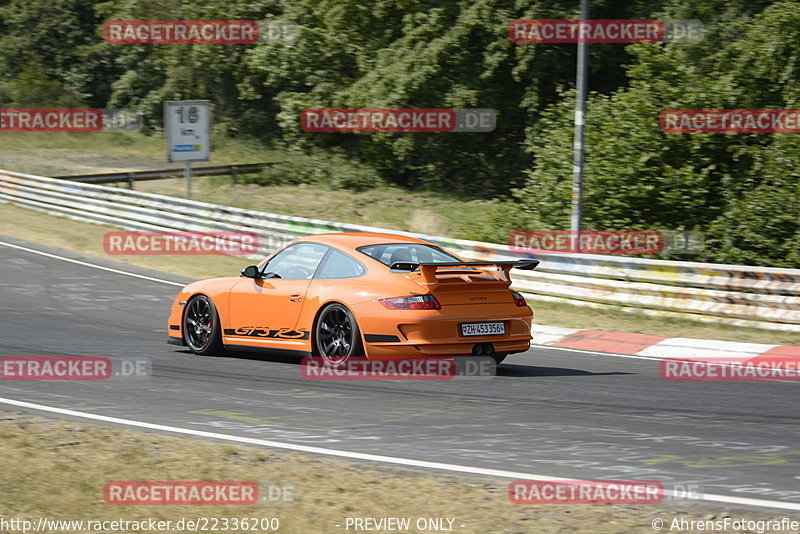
[[187, 129]]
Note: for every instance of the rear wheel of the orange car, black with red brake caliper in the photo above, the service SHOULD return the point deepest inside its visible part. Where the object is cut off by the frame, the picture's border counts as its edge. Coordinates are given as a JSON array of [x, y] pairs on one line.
[[337, 337]]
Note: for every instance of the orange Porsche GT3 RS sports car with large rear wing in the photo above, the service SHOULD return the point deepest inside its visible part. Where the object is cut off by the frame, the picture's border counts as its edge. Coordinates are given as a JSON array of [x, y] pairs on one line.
[[338, 296]]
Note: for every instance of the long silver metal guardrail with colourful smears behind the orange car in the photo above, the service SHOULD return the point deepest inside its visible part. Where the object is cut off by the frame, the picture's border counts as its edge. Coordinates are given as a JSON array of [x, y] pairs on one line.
[[739, 295]]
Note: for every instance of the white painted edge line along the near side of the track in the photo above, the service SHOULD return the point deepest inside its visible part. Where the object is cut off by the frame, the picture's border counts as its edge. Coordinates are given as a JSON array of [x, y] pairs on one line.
[[408, 462]]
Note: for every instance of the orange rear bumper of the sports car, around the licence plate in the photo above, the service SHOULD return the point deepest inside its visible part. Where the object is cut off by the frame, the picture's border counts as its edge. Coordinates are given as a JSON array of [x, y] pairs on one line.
[[423, 333]]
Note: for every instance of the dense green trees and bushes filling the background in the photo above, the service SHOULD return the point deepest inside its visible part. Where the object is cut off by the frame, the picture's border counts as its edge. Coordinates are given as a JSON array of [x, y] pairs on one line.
[[741, 190]]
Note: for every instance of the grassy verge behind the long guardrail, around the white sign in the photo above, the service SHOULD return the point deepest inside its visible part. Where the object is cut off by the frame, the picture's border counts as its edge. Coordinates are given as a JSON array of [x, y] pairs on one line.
[[307, 185]]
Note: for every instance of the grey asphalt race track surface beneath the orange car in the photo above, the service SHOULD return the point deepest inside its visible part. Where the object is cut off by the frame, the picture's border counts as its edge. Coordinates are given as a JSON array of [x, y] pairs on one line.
[[553, 412]]
